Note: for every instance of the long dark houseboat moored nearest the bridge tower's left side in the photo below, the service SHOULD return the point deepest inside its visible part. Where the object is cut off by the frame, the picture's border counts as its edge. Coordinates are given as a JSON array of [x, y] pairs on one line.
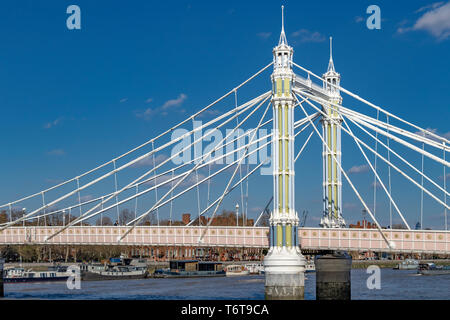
[[190, 268]]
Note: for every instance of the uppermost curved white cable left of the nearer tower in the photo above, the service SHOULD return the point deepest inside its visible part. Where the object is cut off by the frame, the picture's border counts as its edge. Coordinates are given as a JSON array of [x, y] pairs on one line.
[[146, 143]]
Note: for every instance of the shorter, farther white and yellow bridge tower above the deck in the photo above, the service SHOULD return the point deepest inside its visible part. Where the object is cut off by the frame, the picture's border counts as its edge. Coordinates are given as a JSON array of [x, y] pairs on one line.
[[332, 181]]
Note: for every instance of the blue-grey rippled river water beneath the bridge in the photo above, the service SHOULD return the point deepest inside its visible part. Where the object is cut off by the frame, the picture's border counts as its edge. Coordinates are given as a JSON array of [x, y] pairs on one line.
[[395, 284]]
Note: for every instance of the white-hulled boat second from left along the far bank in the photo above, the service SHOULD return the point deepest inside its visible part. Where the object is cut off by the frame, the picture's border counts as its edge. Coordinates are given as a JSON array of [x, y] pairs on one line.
[[116, 269]]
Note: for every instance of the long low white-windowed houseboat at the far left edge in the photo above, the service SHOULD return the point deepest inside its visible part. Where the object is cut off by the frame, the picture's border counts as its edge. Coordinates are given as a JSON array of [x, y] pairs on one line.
[[18, 274]]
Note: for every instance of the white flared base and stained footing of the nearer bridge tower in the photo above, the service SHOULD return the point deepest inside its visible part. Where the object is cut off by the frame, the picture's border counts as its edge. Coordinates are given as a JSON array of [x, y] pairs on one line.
[[285, 274]]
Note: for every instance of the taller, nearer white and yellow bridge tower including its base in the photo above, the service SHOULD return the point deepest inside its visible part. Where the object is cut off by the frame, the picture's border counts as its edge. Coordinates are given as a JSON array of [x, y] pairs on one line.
[[284, 263]]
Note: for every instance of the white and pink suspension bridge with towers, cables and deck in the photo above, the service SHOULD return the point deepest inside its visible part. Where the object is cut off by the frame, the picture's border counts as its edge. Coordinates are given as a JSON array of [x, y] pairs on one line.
[[299, 100]]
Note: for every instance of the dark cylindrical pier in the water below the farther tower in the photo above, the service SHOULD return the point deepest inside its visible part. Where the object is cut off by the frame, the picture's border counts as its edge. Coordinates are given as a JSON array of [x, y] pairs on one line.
[[333, 279]]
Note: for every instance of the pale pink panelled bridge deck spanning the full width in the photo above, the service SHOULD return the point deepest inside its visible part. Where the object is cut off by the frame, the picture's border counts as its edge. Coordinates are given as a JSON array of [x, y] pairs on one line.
[[419, 241]]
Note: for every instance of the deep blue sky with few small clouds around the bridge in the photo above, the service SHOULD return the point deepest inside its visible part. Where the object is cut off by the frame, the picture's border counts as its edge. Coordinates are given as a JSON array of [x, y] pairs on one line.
[[73, 99]]
